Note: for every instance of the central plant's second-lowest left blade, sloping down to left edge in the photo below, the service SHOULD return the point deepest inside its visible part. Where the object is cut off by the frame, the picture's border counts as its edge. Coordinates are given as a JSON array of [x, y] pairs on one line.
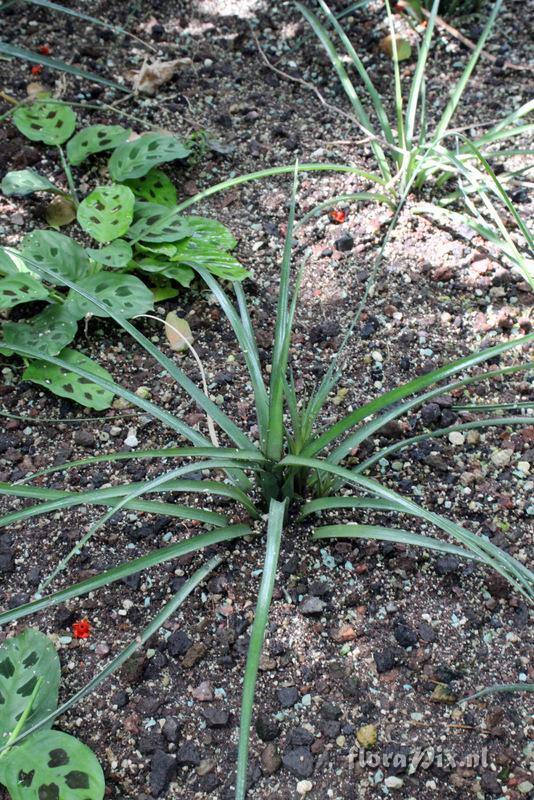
[[125, 569]]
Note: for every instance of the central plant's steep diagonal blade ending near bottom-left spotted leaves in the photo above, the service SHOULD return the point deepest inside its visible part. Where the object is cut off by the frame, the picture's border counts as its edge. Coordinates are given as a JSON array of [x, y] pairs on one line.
[[150, 630]]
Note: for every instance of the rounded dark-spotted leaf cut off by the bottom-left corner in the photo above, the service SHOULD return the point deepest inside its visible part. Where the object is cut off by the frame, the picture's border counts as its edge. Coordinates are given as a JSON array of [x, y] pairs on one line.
[[50, 765]]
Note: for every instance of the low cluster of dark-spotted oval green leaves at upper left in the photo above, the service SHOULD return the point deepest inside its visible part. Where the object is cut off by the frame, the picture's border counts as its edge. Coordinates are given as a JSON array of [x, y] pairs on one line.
[[136, 225]]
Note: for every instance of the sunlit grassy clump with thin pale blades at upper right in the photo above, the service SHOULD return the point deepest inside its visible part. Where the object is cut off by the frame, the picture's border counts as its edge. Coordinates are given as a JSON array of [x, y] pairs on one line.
[[412, 155]]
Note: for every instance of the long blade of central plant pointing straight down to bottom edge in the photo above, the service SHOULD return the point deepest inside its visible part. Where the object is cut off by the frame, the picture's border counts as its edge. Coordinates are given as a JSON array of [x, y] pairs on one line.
[[274, 534]]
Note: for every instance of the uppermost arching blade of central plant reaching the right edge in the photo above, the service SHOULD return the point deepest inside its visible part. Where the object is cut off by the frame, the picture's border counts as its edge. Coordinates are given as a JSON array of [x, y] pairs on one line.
[[412, 387]]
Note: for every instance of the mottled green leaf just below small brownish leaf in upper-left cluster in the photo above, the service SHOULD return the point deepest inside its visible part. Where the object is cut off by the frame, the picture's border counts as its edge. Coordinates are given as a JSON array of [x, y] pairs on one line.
[[58, 252]]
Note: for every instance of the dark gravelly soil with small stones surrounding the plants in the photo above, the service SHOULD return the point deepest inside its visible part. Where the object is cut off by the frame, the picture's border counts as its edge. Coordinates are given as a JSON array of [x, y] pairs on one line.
[[374, 635]]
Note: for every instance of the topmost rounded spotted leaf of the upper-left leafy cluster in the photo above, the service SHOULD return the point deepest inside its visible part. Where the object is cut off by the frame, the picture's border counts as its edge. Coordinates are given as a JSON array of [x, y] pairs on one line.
[[51, 123]]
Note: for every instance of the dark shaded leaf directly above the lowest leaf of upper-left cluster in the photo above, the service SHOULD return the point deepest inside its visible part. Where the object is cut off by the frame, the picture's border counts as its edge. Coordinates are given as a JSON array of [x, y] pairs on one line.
[[49, 332]]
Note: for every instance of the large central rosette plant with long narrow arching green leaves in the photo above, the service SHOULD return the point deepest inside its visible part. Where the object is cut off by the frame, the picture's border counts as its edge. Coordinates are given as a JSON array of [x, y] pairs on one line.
[[296, 469]]
